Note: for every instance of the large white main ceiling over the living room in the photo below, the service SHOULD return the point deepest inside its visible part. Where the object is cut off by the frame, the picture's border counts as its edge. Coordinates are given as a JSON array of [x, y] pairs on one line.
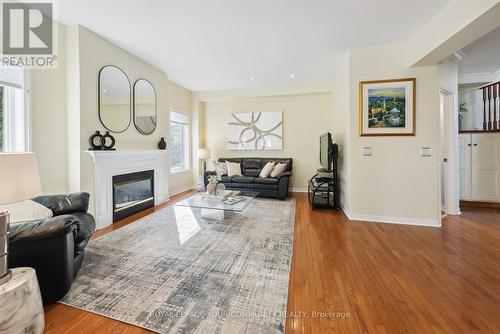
[[207, 45]]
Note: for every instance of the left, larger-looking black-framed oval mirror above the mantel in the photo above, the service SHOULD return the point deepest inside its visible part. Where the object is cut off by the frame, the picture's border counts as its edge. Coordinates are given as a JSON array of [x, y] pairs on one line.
[[114, 99]]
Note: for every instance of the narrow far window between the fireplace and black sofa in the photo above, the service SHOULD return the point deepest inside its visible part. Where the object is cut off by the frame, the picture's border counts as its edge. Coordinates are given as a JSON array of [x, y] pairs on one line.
[[179, 139]]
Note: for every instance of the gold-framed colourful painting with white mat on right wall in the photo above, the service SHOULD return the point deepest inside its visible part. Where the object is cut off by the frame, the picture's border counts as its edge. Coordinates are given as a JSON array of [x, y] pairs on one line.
[[387, 107]]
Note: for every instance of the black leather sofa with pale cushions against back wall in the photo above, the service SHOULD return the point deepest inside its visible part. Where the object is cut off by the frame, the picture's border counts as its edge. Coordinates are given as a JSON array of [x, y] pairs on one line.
[[250, 181]]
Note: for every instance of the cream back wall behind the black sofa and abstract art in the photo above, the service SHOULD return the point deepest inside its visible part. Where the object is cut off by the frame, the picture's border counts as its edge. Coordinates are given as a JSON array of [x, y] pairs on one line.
[[305, 118]]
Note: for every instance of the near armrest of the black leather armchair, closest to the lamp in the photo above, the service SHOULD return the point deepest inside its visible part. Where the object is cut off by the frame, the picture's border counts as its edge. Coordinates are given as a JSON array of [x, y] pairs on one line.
[[43, 229]]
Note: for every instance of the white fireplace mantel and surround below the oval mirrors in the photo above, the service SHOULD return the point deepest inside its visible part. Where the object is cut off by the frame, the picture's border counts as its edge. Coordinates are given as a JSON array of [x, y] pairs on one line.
[[110, 163]]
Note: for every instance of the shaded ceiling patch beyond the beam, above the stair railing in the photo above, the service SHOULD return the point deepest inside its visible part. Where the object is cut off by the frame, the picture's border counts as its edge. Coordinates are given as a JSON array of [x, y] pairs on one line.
[[482, 55]]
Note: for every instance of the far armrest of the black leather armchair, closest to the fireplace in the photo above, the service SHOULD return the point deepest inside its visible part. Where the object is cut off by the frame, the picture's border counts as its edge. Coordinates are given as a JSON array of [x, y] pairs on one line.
[[65, 204]]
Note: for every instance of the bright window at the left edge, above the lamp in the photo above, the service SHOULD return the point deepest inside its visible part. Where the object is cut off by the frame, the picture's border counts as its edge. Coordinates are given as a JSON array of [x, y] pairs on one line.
[[14, 116]]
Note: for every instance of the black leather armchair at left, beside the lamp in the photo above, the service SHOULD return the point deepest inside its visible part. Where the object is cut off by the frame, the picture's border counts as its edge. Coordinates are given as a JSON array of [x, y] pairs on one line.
[[53, 247]]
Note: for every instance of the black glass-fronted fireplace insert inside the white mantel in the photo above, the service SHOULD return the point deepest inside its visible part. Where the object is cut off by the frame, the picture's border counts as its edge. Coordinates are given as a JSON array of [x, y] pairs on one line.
[[132, 193]]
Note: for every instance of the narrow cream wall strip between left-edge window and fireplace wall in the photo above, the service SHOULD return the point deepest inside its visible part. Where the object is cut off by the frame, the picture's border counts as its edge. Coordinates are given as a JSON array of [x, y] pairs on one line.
[[48, 119]]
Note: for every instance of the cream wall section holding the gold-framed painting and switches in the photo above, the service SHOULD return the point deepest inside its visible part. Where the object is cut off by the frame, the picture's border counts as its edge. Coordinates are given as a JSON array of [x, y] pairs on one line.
[[396, 184]]
